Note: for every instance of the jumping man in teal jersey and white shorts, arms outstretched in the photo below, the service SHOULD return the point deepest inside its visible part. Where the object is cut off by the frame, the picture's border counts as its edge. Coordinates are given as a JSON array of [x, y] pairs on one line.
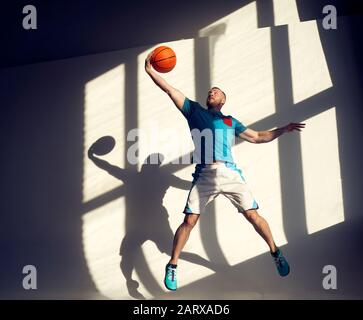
[[216, 172]]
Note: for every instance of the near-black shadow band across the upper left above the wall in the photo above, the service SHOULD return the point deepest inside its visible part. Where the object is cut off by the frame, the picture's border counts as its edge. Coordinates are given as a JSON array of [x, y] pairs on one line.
[[83, 27]]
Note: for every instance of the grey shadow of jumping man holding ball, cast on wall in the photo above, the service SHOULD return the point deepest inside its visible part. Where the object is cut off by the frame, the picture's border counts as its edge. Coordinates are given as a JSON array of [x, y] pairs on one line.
[[143, 189]]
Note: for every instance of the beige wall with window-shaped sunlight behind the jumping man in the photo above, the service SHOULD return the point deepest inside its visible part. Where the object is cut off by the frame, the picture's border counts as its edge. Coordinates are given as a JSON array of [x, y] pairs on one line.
[[272, 76]]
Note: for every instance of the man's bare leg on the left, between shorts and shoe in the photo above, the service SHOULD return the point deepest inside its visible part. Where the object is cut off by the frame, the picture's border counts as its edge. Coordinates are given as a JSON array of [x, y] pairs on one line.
[[182, 235]]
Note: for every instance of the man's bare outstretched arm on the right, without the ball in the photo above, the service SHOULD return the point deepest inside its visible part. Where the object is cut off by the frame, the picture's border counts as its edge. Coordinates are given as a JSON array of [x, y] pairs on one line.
[[267, 136]]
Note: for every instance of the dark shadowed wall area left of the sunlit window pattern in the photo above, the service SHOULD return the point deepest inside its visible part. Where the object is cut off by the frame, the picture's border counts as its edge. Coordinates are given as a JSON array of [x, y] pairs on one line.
[[42, 225]]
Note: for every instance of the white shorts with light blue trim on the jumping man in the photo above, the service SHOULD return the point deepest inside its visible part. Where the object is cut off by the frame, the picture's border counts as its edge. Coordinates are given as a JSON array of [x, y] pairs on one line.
[[211, 180]]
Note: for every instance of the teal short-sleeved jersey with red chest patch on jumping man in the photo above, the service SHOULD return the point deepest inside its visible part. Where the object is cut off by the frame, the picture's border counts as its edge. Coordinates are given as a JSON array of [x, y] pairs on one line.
[[212, 132]]
